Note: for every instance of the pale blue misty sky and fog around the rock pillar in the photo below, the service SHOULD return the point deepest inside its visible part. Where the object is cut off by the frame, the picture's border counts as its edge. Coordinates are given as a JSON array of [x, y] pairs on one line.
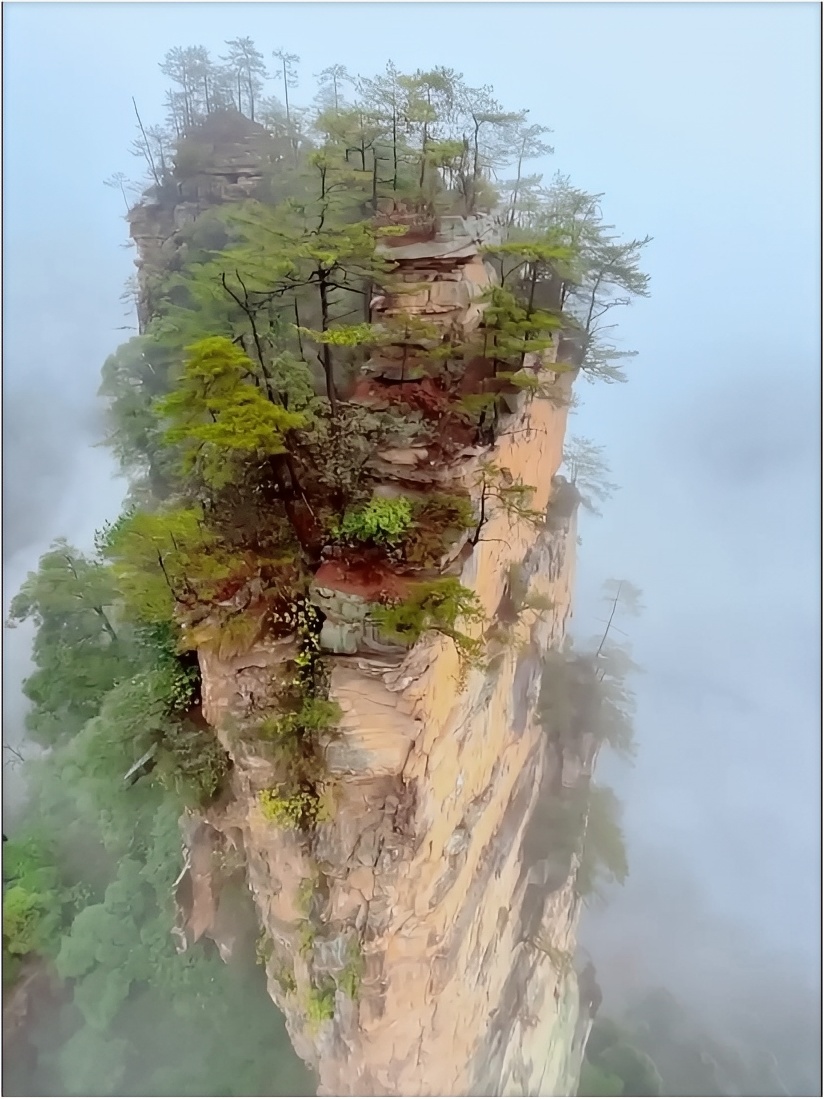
[[700, 123]]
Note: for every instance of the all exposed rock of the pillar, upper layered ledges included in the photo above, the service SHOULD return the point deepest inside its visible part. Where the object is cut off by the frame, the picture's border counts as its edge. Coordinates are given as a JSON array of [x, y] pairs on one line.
[[419, 941]]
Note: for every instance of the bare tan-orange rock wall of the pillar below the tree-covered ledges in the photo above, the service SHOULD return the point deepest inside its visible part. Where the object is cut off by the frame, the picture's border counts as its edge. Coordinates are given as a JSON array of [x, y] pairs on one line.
[[422, 881]]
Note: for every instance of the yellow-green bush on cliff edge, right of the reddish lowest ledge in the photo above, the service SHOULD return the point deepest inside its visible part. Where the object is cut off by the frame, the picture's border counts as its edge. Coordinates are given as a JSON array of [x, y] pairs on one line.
[[432, 605]]
